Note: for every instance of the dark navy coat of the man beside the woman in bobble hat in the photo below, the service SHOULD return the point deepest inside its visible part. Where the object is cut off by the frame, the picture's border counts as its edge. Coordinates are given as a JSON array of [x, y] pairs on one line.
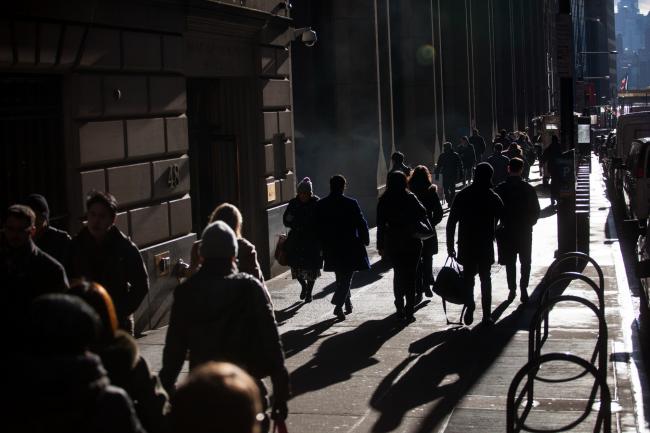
[[343, 231]]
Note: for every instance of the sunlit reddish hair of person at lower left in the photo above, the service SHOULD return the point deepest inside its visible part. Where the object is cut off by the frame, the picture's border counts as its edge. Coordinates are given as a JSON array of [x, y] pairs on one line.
[[98, 298]]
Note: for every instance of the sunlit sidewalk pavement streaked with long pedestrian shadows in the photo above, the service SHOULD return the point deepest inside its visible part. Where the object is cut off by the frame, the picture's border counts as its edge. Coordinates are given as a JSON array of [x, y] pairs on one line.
[[369, 373]]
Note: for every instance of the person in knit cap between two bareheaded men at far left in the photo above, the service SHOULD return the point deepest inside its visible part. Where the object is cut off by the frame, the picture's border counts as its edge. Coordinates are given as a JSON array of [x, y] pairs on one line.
[[53, 241]]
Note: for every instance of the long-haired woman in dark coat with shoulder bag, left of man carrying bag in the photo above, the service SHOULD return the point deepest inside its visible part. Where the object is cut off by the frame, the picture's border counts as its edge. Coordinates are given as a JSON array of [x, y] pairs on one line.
[[398, 212]]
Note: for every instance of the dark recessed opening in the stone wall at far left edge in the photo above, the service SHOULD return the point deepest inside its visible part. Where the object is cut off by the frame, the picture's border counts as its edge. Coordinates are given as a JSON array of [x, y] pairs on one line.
[[32, 151]]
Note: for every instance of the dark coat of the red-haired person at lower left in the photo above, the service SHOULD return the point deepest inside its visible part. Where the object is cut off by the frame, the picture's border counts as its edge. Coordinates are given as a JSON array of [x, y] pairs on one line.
[[128, 369]]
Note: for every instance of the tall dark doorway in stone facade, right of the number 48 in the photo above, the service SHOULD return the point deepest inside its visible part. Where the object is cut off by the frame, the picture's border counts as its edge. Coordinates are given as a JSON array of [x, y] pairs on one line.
[[214, 154]]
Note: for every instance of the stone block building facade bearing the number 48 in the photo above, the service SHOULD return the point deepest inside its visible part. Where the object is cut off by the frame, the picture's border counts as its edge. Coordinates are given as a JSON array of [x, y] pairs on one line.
[[172, 106]]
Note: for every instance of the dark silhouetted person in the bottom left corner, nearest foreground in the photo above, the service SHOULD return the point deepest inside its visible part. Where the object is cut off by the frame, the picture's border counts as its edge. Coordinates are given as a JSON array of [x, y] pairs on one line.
[[62, 386]]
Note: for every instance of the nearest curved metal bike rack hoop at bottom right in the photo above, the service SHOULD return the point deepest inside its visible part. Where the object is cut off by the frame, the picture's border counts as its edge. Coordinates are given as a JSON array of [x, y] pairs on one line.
[[516, 423]]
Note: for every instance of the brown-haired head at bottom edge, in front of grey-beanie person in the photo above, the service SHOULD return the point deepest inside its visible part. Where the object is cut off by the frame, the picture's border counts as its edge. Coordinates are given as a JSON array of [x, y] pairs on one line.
[[217, 397]]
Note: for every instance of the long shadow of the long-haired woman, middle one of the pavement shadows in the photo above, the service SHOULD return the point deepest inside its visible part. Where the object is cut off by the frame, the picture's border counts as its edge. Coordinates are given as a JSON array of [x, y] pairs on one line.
[[344, 354]]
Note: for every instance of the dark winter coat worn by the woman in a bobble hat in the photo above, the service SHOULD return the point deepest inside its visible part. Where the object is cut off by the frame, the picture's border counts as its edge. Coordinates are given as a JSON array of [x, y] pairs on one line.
[[303, 244]]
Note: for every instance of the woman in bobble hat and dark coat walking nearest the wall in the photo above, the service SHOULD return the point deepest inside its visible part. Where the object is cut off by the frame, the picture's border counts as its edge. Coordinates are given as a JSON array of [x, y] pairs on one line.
[[303, 245]]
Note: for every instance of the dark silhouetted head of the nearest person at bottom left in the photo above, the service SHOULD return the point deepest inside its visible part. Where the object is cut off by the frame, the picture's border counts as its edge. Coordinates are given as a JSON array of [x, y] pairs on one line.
[[61, 324]]
